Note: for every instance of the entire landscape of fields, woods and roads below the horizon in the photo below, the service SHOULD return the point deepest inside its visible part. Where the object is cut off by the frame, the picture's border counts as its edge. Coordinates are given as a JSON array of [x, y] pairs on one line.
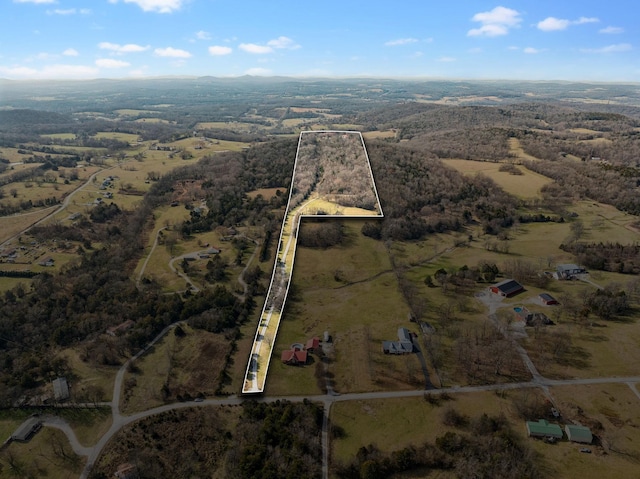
[[487, 326]]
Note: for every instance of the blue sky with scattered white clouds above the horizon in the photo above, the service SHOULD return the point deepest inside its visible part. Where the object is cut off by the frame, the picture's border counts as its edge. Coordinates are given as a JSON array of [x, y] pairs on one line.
[[542, 40]]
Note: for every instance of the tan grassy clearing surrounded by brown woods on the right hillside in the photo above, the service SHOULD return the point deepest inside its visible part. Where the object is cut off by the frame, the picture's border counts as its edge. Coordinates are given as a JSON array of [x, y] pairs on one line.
[[527, 185]]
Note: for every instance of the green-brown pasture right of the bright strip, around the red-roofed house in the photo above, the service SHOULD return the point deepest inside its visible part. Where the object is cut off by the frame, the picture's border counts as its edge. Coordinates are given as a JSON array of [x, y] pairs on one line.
[[351, 292]]
